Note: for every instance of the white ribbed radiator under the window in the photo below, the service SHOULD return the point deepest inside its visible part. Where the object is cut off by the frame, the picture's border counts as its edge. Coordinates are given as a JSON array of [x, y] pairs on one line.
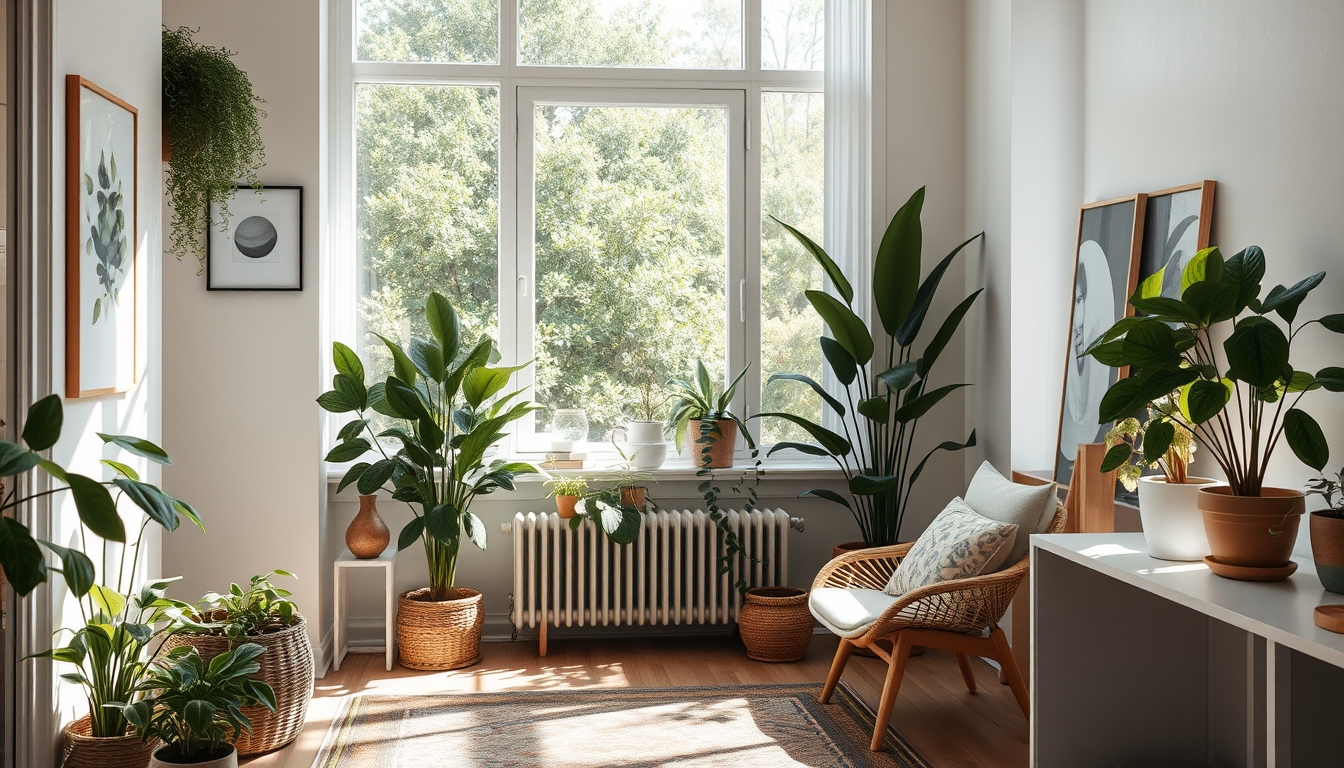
[[666, 578]]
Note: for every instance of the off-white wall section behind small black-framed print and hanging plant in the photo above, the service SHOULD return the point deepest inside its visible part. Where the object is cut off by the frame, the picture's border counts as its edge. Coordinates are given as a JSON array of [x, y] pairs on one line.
[[244, 369]]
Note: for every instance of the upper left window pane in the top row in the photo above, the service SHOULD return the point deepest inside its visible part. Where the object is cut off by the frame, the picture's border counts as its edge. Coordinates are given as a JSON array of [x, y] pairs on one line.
[[429, 32]]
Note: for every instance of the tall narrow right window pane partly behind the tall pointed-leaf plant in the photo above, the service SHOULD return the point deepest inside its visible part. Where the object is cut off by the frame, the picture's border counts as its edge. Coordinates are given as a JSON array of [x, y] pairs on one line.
[[792, 192]]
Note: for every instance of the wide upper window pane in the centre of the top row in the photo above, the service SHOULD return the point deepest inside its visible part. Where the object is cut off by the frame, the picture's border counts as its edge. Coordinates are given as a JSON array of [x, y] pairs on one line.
[[698, 34]]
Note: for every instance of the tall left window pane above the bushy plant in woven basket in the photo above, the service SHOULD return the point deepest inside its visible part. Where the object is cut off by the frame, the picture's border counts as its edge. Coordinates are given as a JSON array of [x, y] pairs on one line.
[[427, 212]]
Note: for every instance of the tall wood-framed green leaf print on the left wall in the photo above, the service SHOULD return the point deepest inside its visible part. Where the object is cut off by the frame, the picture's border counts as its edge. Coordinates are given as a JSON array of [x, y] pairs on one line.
[[101, 241]]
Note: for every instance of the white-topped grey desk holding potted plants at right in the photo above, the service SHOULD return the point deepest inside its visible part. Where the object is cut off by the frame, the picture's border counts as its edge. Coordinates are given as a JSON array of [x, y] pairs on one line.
[[1136, 658]]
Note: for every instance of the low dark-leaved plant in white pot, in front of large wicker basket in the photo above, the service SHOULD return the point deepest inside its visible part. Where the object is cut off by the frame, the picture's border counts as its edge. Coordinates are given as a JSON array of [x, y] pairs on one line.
[[197, 707]]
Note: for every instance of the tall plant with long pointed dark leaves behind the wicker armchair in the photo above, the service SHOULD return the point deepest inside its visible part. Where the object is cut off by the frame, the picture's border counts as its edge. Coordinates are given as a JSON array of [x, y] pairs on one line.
[[886, 391]]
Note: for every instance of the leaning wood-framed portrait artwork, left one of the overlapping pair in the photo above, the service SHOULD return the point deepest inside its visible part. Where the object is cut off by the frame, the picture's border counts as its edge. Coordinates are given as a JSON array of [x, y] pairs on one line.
[[1105, 275]]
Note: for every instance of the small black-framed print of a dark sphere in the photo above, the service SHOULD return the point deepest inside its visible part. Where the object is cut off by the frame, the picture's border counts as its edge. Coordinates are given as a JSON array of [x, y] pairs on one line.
[[260, 247]]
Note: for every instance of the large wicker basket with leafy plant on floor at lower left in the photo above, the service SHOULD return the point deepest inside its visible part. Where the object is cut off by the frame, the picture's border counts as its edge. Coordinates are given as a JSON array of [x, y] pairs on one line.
[[264, 615]]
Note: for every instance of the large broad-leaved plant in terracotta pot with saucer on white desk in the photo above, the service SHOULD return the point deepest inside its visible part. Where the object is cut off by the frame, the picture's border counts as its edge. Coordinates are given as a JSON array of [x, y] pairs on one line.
[[1238, 404]]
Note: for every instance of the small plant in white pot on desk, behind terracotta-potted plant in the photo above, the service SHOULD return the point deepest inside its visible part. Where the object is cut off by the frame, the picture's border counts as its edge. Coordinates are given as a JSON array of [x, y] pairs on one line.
[[1169, 504]]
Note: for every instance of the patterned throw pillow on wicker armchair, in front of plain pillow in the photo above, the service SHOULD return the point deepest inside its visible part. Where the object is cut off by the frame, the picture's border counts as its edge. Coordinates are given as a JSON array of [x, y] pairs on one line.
[[959, 544]]
